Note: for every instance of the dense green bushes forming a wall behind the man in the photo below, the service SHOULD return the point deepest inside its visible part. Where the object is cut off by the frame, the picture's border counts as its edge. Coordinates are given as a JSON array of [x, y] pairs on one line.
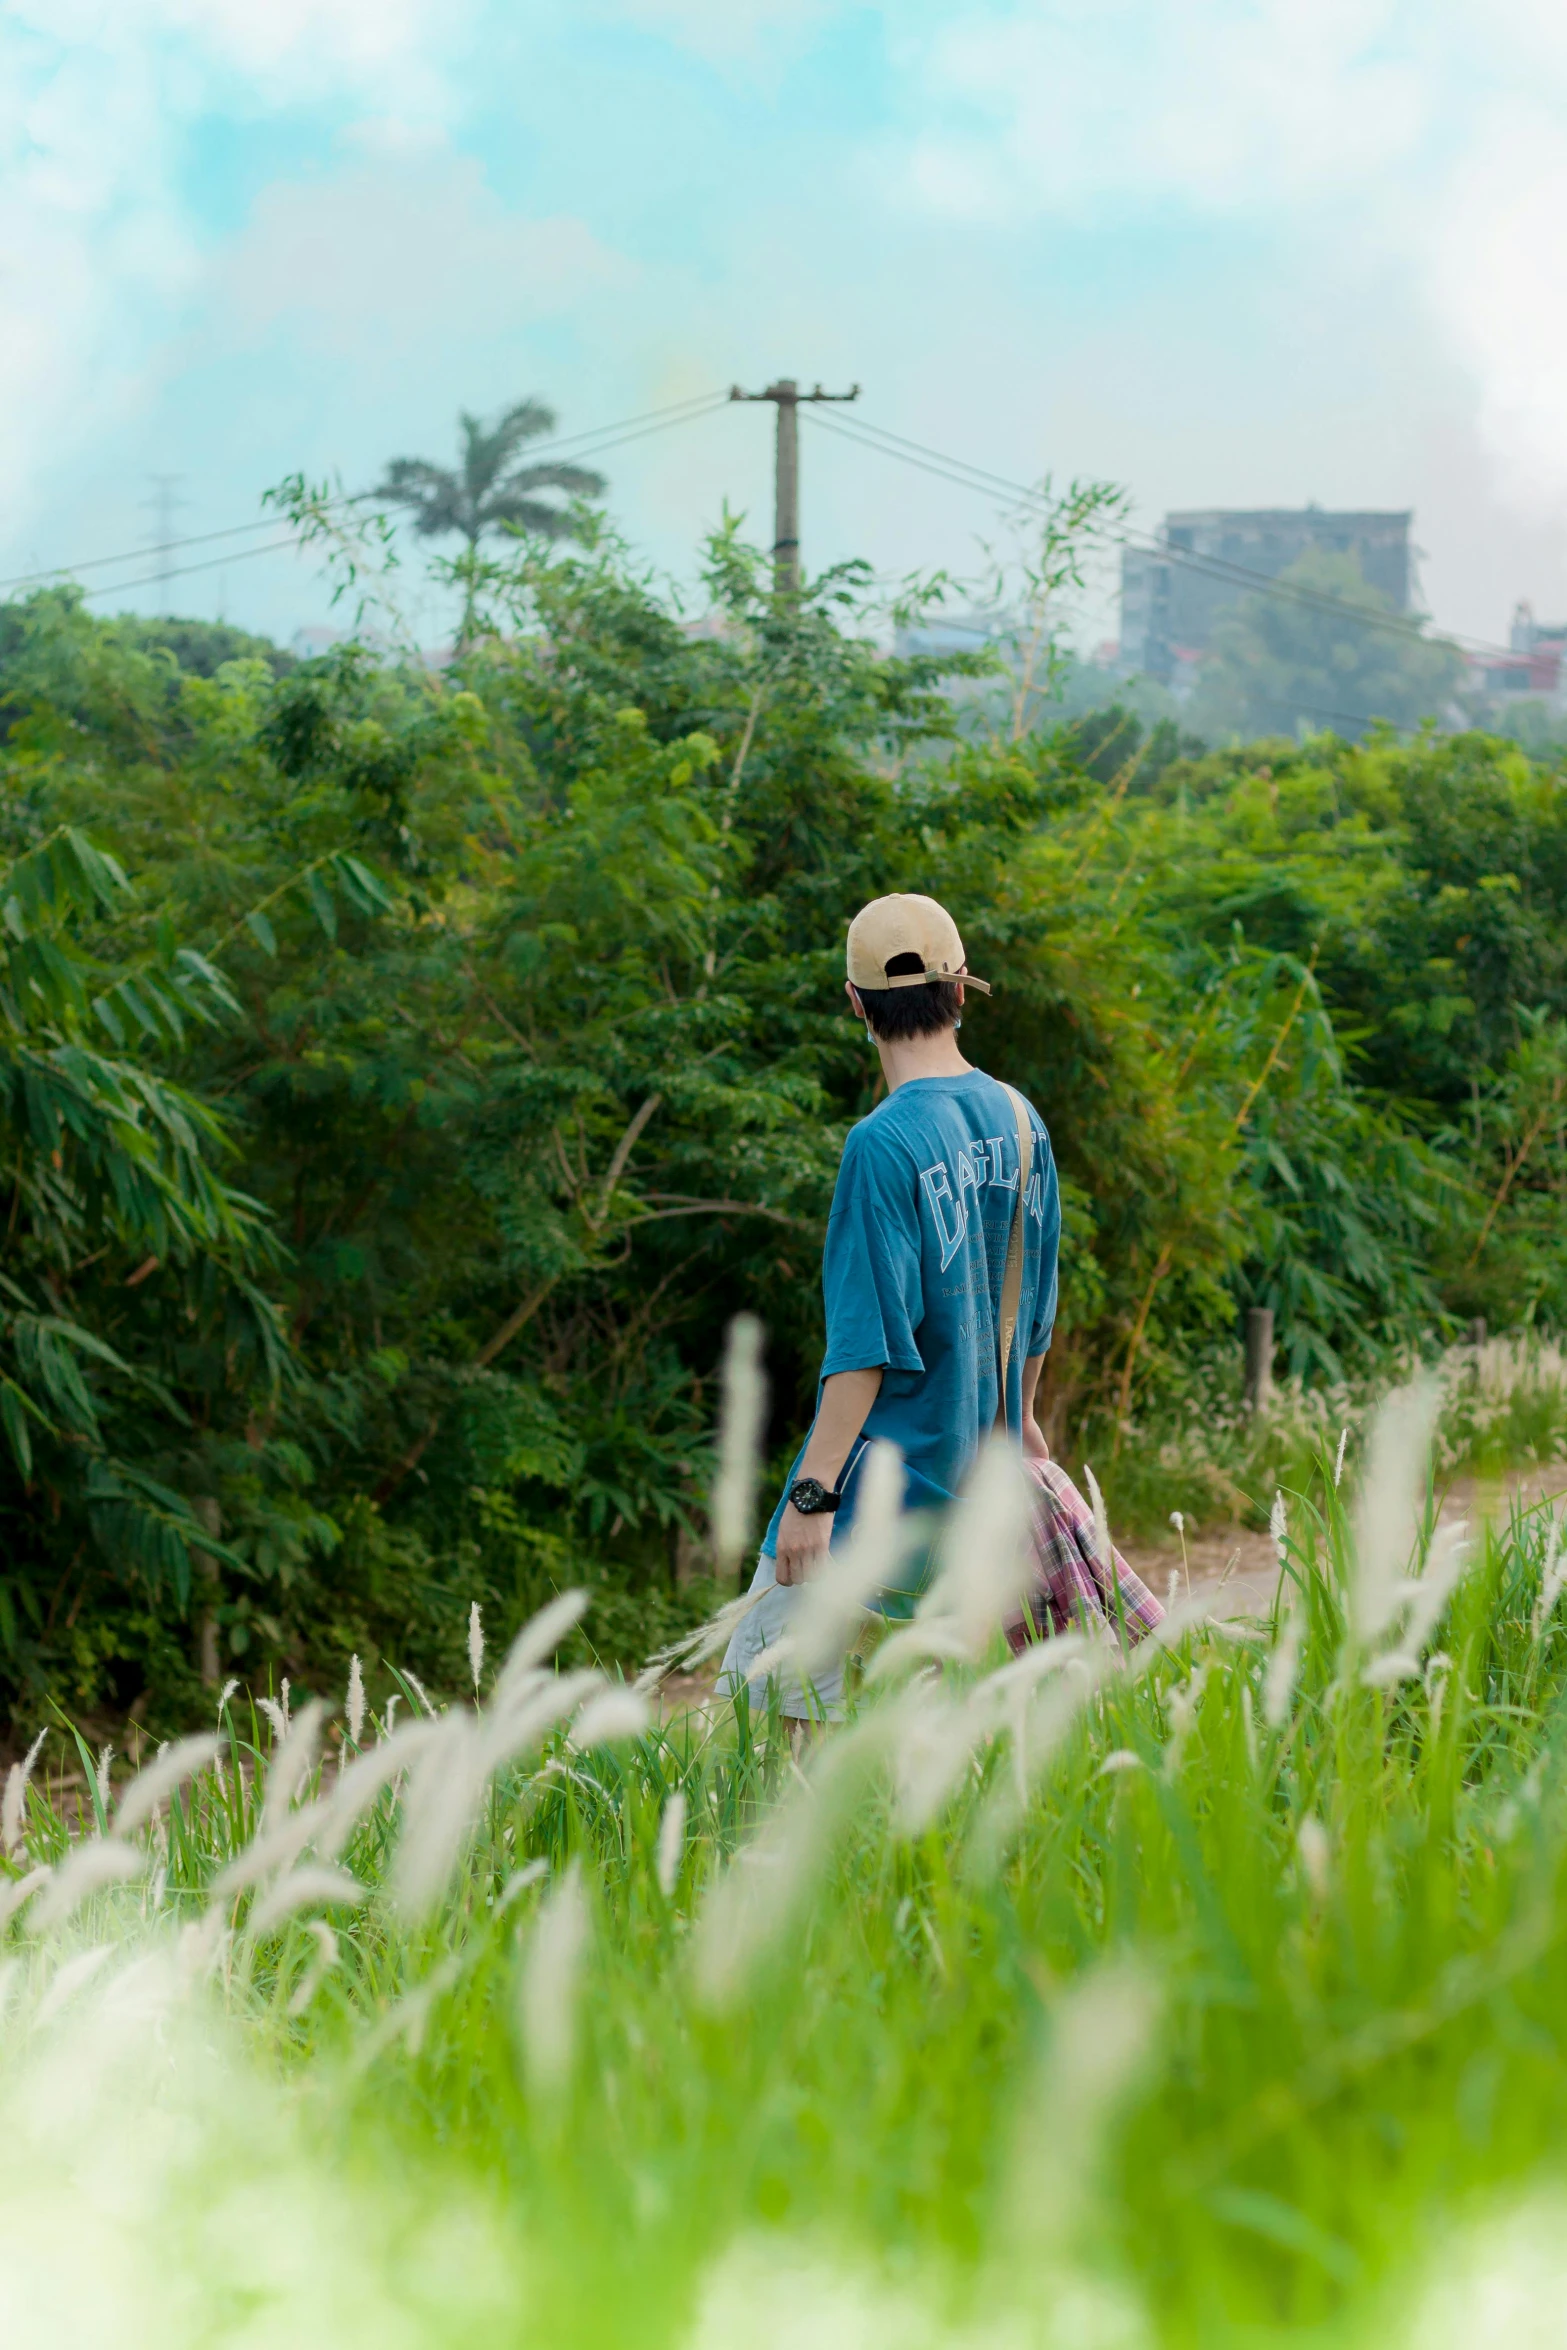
[[492, 1049]]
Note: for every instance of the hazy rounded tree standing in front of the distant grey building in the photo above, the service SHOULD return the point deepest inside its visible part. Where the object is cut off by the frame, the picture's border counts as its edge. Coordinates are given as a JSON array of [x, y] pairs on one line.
[[1307, 662]]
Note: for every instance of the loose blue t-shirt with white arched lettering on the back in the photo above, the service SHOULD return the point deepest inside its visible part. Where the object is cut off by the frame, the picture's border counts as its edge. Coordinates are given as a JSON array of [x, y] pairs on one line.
[[913, 1275]]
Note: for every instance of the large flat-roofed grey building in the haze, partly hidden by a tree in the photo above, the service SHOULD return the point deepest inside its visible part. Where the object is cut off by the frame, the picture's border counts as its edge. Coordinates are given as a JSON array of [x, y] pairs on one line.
[[1173, 593]]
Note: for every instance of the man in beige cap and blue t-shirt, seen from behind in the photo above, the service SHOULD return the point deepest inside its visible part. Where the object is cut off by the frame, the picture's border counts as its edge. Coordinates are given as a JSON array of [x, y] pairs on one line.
[[913, 1273]]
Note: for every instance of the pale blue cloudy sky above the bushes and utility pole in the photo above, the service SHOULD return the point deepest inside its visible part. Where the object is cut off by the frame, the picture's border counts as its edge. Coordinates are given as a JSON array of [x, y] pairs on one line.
[[1218, 250]]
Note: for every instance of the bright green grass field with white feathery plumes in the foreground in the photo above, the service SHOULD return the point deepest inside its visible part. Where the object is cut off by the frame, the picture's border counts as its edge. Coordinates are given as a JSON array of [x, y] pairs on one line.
[[1213, 1994]]
